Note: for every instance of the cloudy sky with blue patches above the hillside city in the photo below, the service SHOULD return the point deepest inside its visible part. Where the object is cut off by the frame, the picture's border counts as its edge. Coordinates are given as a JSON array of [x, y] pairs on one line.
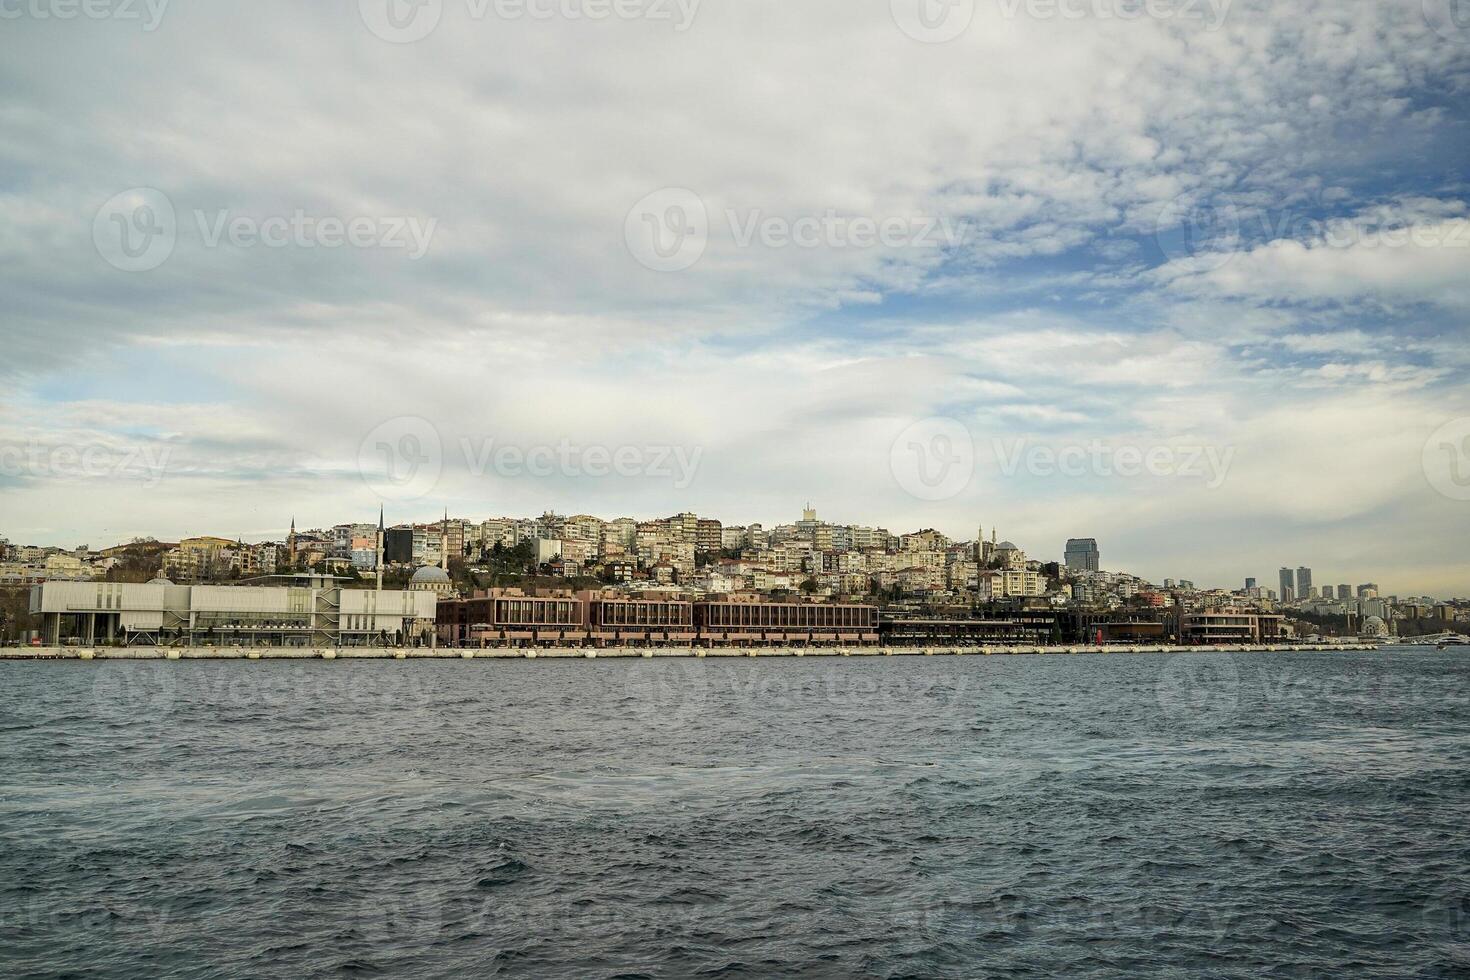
[[1187, 277]]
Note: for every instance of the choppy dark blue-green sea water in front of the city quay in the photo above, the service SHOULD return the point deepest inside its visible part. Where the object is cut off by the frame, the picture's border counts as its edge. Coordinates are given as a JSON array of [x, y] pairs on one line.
[[1293, 815]]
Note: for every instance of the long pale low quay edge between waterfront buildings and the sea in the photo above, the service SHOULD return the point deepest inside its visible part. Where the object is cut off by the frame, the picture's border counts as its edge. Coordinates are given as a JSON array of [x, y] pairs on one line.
[[637, 653]]
